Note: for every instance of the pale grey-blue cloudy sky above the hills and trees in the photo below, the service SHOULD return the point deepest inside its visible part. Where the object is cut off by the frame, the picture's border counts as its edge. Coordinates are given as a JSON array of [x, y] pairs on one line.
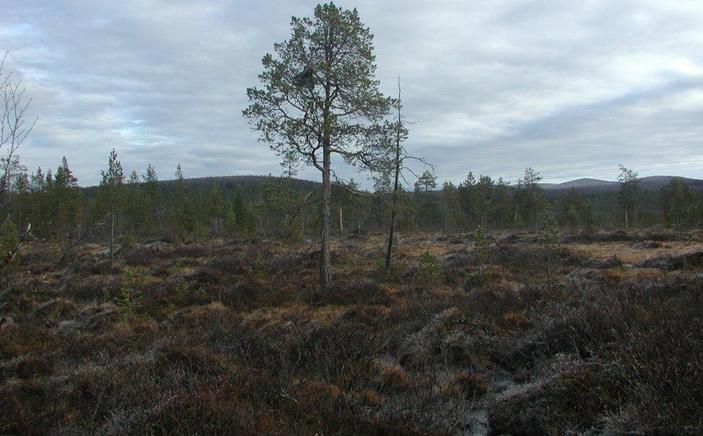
[[571, 88]]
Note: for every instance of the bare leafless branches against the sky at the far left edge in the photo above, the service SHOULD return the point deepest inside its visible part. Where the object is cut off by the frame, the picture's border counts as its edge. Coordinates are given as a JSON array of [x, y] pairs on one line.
[[14, 127]]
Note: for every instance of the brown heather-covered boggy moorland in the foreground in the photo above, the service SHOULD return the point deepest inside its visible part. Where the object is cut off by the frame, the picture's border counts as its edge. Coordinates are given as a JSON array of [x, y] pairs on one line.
[[207, 338]]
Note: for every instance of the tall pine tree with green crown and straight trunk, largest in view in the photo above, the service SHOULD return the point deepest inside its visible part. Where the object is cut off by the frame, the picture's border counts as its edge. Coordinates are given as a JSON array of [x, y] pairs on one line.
[[319, 96]]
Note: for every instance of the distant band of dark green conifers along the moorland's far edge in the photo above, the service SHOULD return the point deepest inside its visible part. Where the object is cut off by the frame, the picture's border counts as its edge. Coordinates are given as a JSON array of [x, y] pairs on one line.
[[141, 207]]
